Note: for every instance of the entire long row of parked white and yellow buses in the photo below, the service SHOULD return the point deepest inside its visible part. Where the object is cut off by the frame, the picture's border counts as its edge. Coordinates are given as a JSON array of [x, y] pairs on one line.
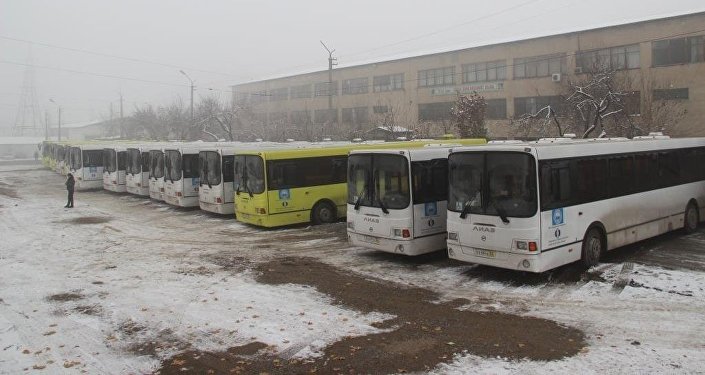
[[530, 206]]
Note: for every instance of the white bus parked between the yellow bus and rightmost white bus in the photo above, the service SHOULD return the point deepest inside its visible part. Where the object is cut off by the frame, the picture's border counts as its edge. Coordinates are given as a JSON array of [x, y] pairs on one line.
[[397, 199]]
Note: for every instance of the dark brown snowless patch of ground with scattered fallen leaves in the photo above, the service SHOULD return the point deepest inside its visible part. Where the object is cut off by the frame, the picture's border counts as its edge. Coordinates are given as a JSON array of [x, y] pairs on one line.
[[422, 335]]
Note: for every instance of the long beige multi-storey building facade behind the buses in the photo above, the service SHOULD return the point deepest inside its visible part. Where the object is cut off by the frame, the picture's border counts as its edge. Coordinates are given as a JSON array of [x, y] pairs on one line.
[[660, 63]]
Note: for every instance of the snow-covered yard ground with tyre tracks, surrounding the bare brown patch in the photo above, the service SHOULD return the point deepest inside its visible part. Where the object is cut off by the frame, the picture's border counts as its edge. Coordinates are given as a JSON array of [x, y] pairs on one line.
[[115, 285]]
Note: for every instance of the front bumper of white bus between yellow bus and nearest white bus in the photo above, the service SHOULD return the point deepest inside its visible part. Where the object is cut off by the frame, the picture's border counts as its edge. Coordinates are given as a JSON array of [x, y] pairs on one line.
[[410, 247]]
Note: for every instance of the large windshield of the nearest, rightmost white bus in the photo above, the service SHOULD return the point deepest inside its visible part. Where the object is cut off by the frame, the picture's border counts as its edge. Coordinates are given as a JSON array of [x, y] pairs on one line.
[[493, 183]]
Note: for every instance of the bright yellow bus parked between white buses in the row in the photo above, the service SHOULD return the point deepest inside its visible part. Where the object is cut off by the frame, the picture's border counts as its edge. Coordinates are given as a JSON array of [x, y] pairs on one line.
[[291, 186]]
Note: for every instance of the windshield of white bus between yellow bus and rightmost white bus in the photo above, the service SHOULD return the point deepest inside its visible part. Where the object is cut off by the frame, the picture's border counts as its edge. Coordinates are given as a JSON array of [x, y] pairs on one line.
[[378, 180]]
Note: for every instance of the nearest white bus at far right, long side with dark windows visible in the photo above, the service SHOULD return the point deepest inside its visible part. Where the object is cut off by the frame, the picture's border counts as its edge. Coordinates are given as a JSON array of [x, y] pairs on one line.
[[540, 205]]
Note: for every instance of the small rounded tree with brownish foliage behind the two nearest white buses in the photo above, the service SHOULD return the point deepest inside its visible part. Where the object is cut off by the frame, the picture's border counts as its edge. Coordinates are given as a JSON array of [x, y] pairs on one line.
[[469, 115]]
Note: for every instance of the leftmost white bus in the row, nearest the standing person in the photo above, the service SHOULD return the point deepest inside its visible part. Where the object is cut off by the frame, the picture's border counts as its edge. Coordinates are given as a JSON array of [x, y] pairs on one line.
[[86, 165]]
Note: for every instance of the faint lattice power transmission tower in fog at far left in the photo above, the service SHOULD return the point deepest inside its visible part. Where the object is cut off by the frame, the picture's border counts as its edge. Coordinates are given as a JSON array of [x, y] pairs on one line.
[[28, 119]]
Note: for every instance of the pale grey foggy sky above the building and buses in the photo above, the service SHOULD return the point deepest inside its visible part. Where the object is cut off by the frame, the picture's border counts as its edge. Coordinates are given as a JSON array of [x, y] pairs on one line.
[[220, 43]]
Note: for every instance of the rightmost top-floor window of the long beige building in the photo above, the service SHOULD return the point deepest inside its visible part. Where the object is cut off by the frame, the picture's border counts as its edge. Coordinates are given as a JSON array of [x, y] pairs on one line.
[[678, 51]]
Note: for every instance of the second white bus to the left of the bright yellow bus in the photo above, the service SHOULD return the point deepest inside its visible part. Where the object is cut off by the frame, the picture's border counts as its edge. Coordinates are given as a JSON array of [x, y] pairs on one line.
[[181, 174]]
